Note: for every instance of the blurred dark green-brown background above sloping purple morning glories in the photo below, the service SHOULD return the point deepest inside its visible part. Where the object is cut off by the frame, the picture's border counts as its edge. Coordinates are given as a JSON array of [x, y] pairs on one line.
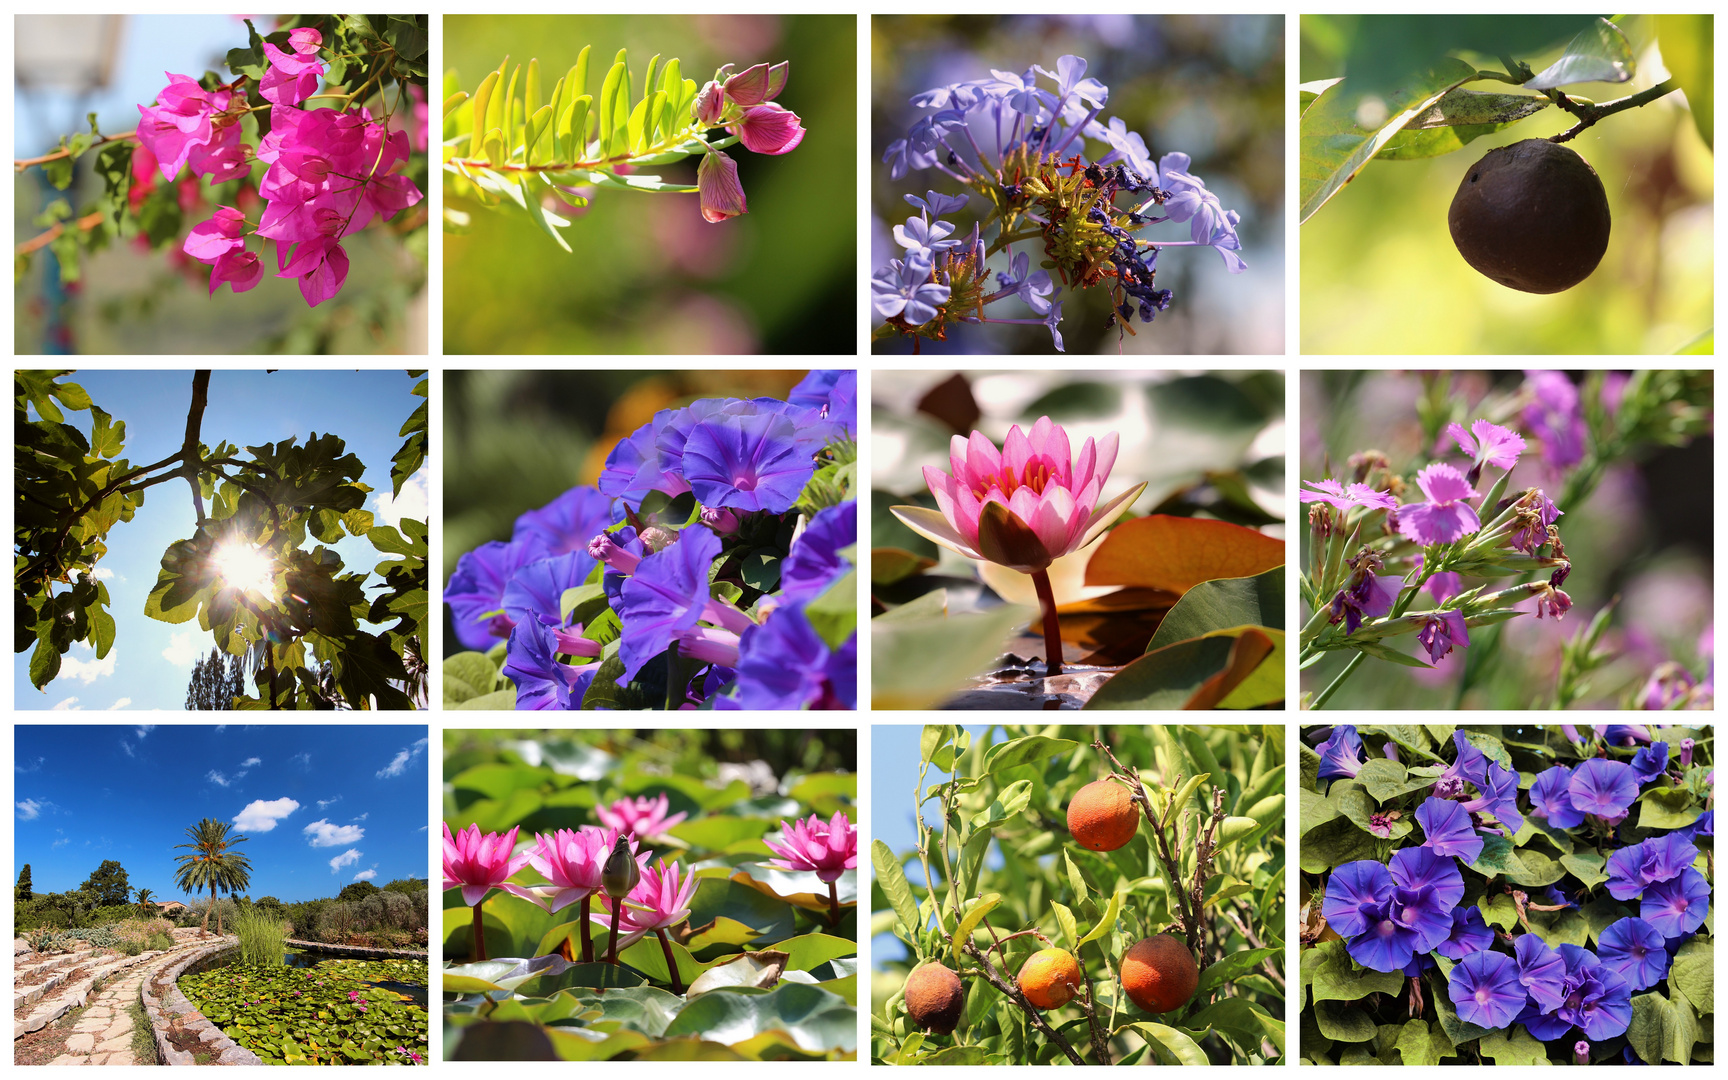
[[516, 442]]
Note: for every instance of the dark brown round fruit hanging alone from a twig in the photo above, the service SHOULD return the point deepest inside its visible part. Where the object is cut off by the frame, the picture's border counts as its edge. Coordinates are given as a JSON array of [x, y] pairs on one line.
[[1532, 217]]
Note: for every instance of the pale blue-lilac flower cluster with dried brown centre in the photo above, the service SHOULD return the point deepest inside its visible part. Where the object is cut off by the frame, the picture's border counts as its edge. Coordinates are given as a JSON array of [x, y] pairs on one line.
[[1019, 149]]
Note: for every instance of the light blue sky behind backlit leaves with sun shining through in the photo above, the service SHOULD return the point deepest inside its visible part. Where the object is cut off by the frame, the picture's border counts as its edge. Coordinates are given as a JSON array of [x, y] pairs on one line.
[[151, 661]]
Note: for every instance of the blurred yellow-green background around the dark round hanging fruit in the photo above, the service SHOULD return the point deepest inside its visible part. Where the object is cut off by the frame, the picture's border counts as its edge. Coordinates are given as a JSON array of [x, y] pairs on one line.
[[1382, 274]]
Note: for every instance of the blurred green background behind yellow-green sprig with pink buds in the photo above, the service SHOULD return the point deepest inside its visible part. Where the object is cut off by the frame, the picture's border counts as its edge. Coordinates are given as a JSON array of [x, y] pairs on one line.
[[649, 274]]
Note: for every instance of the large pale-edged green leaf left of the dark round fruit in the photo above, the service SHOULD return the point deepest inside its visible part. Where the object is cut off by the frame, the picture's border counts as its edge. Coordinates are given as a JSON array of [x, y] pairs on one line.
[[1345, 129]]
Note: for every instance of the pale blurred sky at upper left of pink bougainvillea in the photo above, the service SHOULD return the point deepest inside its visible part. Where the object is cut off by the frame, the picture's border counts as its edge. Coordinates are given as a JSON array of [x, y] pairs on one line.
[[149, 46]]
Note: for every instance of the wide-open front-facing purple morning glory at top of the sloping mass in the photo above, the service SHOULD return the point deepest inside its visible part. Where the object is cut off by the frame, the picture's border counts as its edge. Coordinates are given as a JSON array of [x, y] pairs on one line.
[[747, 462]]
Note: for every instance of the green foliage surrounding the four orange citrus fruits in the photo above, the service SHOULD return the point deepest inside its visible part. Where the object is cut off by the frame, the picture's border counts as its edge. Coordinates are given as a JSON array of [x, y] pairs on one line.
[[996, 877]]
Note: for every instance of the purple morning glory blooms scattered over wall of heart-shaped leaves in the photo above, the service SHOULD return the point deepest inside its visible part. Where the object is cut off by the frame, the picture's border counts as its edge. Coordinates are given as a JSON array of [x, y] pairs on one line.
[[1399, 915]]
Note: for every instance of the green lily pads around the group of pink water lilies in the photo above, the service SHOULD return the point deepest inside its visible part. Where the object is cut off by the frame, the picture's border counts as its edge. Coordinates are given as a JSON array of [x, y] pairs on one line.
[[768, 963]]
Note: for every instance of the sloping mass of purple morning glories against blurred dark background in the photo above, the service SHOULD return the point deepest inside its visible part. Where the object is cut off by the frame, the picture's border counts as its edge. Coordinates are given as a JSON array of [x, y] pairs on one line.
[[668, 557]]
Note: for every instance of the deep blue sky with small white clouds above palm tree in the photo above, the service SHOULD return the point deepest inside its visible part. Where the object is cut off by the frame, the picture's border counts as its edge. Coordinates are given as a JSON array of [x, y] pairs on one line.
[[321, 806]]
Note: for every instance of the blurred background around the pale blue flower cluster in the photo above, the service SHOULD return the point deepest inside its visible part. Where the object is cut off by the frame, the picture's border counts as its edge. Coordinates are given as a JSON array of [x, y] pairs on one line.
[[1207, 86]]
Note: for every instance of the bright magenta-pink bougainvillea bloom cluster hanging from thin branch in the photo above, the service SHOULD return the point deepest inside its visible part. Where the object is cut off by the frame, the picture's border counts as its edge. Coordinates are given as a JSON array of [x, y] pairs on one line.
[[331, 172]]
